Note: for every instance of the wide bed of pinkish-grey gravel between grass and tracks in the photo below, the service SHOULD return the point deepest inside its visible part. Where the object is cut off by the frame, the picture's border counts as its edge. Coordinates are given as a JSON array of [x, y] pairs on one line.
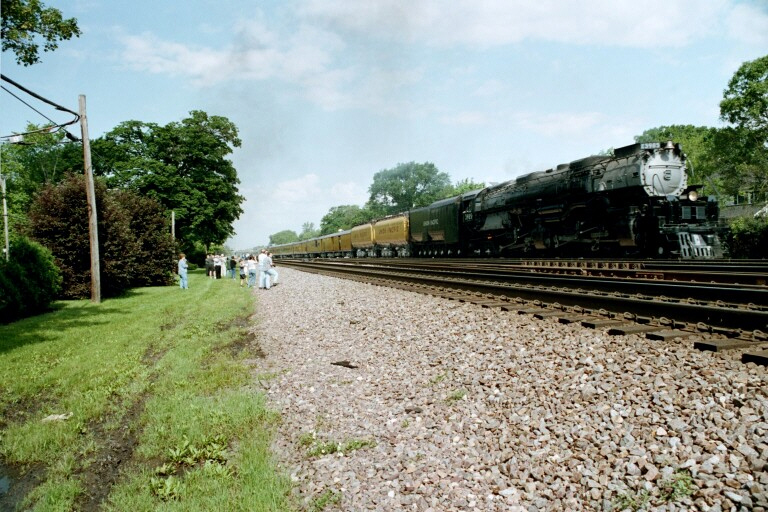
[[394, 400]]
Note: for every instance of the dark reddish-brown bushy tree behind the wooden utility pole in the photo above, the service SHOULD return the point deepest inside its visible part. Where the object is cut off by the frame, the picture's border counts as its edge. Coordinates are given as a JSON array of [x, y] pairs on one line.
[[135, 247]]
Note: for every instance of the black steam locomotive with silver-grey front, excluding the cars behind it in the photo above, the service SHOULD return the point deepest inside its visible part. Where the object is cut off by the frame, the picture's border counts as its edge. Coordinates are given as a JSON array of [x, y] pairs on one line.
[[636, 202]]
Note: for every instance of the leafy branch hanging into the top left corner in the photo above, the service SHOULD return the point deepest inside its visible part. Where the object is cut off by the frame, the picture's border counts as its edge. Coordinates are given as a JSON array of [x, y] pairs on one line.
[[26, 20]]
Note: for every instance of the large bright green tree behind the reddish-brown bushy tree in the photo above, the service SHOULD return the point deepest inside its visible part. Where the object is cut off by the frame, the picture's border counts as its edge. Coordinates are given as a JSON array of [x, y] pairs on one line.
[[184, 166]]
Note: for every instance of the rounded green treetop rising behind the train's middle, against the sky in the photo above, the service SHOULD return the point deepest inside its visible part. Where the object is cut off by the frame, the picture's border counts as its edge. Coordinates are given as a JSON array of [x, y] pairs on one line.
[[406, 186]]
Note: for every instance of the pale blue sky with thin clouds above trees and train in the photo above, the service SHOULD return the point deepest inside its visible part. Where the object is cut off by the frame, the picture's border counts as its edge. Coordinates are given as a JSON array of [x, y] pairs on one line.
[[326, 93]]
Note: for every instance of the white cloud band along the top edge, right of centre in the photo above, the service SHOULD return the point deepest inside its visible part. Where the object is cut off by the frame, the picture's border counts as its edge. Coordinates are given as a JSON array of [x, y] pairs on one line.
[[653, 23]]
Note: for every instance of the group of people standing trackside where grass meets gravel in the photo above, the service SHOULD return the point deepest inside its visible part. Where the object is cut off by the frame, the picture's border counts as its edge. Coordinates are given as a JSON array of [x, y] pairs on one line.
[[249, 266]]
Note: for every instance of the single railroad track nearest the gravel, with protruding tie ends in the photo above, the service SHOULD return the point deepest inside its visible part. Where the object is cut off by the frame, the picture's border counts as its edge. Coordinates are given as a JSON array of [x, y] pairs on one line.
[[753, 344]]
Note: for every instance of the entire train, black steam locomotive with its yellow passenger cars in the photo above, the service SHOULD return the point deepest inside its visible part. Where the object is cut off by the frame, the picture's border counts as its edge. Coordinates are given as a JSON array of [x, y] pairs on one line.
[[635, 202]]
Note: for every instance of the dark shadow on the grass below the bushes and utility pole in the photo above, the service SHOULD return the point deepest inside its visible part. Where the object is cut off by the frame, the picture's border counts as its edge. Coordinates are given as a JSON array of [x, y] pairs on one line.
[[49, 326]]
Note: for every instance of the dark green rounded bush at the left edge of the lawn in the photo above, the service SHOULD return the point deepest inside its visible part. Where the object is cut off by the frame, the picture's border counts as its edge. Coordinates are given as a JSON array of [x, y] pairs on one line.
[[29, 281]]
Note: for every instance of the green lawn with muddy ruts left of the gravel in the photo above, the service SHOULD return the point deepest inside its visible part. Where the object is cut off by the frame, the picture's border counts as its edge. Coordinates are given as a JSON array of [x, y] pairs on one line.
[[154, 380]]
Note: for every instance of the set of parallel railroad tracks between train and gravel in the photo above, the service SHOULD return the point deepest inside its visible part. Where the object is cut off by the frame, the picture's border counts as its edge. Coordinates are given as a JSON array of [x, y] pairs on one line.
[[717, 316]]
